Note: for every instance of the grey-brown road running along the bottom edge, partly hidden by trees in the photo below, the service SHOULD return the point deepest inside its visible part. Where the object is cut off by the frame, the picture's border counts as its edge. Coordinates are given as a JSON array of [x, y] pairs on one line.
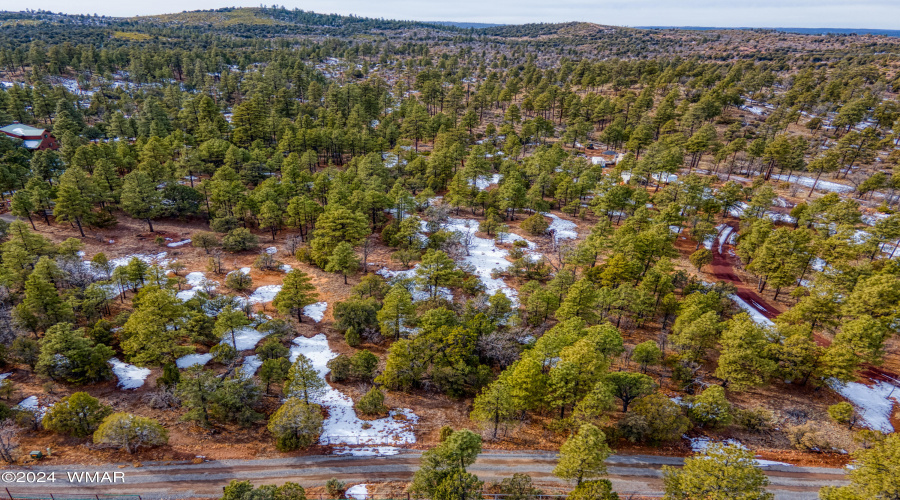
[[629, 474]]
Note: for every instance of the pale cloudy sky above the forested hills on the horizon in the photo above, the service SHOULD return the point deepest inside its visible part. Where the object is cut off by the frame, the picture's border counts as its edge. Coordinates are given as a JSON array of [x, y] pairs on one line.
[[871, 14]]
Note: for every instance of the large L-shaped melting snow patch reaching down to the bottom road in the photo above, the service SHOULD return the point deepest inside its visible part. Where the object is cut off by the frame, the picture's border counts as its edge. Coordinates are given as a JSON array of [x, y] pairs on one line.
[[342, 425]]
